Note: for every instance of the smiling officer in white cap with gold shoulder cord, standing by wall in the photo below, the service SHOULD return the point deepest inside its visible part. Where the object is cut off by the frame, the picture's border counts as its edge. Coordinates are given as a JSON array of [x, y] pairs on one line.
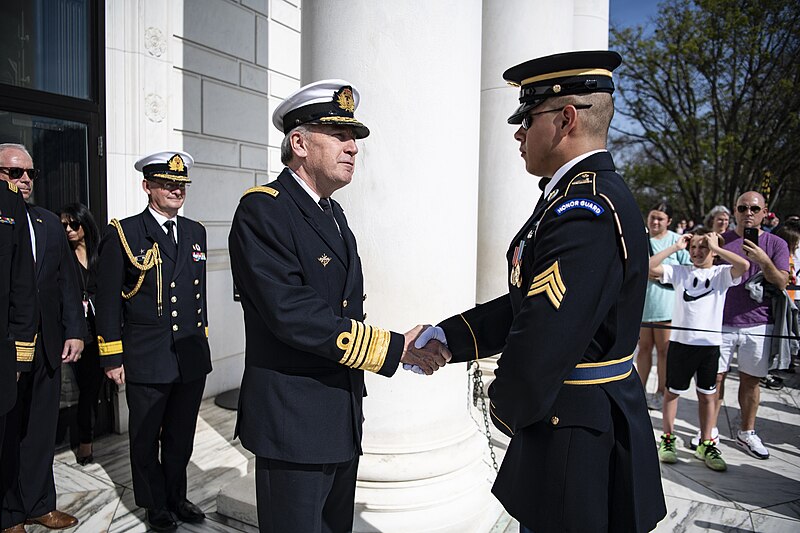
[[152, 332]]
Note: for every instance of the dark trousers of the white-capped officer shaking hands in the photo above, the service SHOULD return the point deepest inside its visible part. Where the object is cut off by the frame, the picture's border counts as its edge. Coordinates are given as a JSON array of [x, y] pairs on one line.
[[312, 498]]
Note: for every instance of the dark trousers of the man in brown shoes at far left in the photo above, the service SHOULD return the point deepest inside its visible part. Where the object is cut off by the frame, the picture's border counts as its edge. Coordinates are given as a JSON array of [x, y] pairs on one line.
[[29, 444]]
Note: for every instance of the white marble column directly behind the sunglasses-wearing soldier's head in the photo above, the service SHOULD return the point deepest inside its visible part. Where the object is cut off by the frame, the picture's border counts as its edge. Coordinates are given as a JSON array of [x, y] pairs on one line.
[[515, 31]]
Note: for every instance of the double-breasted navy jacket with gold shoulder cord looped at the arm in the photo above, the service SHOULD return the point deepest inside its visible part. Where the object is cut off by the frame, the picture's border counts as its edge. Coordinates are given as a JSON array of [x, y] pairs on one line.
[[155, 347]]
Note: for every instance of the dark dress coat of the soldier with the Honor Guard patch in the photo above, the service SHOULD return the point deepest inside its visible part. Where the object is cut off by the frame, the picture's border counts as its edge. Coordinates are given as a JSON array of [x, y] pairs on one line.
[[578, 298]]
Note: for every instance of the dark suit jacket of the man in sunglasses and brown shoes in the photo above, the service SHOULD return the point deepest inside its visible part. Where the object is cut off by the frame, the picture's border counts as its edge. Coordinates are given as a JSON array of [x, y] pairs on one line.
[[60, 307]]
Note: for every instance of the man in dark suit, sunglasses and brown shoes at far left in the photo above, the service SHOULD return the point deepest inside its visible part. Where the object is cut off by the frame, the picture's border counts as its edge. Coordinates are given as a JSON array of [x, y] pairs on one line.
[[31, 426]]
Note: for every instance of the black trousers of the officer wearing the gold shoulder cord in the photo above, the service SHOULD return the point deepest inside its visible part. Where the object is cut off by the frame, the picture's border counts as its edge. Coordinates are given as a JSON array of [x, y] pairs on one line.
[[162, 416]]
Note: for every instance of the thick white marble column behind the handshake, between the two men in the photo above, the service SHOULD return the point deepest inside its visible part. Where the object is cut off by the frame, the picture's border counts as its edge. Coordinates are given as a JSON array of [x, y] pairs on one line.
[[413, 207]]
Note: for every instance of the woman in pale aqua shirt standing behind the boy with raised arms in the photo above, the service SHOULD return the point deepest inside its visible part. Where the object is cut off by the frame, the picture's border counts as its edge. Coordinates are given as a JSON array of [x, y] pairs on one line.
[[658, 304]]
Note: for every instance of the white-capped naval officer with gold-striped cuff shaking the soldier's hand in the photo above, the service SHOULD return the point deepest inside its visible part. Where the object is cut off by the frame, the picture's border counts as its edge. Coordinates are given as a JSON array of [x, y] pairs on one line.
[[296, 265]]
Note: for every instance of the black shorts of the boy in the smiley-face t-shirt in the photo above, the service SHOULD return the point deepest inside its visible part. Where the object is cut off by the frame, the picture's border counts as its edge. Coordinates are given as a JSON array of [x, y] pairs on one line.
[[685, 361]]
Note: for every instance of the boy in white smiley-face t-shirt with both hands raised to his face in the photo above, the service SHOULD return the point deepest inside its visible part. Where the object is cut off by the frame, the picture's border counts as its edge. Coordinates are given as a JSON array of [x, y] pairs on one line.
[[699, 299]]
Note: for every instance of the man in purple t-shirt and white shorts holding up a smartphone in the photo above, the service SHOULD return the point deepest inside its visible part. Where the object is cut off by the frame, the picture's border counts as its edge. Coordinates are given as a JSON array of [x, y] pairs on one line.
[[748, 323]]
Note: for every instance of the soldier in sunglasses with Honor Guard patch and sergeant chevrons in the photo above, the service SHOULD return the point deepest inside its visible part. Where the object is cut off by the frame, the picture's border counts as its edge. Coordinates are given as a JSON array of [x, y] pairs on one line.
[[582, 456]]
